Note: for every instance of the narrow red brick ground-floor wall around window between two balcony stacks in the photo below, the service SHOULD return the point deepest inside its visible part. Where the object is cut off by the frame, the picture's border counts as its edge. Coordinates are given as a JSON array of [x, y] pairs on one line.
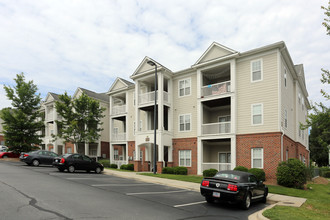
[[185, 144]]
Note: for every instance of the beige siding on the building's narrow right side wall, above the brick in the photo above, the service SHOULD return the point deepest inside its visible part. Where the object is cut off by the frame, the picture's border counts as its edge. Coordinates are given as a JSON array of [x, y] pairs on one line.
[[288, 101]]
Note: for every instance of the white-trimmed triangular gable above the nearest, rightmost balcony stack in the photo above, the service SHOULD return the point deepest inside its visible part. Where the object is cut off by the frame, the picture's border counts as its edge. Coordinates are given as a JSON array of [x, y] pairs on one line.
[[214, 51]]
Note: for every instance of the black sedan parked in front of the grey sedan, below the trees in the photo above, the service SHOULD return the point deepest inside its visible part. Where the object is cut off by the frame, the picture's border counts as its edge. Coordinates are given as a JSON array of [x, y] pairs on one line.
[[72, 162]]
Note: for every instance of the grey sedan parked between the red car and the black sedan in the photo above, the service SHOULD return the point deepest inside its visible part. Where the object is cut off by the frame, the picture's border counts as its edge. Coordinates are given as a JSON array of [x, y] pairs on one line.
[[38, 157]]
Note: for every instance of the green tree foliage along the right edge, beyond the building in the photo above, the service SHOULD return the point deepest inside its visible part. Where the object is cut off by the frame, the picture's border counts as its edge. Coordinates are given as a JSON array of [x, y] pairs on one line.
[[319, 120]]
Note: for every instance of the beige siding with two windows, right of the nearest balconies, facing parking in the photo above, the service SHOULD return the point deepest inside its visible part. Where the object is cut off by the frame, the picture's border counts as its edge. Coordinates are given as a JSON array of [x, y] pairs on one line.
[[264, 92]]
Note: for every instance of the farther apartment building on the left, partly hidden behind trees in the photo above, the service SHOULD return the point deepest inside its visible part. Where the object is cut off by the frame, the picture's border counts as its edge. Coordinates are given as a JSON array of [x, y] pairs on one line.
[[100, 148]]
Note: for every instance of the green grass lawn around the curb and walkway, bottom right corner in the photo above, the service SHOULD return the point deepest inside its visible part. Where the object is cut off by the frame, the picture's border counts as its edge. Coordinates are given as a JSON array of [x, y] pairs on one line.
[[317, 205]]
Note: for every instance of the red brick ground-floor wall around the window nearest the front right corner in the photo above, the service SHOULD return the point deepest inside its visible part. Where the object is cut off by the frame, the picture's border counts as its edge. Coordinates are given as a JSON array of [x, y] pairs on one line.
[[271, 144]]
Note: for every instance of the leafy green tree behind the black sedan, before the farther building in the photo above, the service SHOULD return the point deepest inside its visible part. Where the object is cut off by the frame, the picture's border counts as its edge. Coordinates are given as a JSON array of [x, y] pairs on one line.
[[81, 119]]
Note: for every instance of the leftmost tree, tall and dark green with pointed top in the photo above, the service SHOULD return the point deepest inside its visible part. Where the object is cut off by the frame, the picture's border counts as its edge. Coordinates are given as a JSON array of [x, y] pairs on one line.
[[23, 121]]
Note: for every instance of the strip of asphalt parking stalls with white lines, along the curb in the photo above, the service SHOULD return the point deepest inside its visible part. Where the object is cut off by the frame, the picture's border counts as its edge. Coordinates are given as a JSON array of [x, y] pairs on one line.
[[186, 200]]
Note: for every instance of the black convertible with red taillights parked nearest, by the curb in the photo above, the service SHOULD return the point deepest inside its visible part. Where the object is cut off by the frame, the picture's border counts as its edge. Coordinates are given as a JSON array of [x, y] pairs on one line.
[[235, 187]]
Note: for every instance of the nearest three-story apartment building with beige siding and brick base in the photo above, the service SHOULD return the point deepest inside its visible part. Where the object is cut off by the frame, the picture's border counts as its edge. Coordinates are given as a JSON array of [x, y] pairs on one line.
[[228, 109]]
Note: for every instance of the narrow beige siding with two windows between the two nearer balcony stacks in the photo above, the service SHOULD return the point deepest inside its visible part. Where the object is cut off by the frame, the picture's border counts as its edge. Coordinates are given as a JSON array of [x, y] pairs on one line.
[[185, 105]]
